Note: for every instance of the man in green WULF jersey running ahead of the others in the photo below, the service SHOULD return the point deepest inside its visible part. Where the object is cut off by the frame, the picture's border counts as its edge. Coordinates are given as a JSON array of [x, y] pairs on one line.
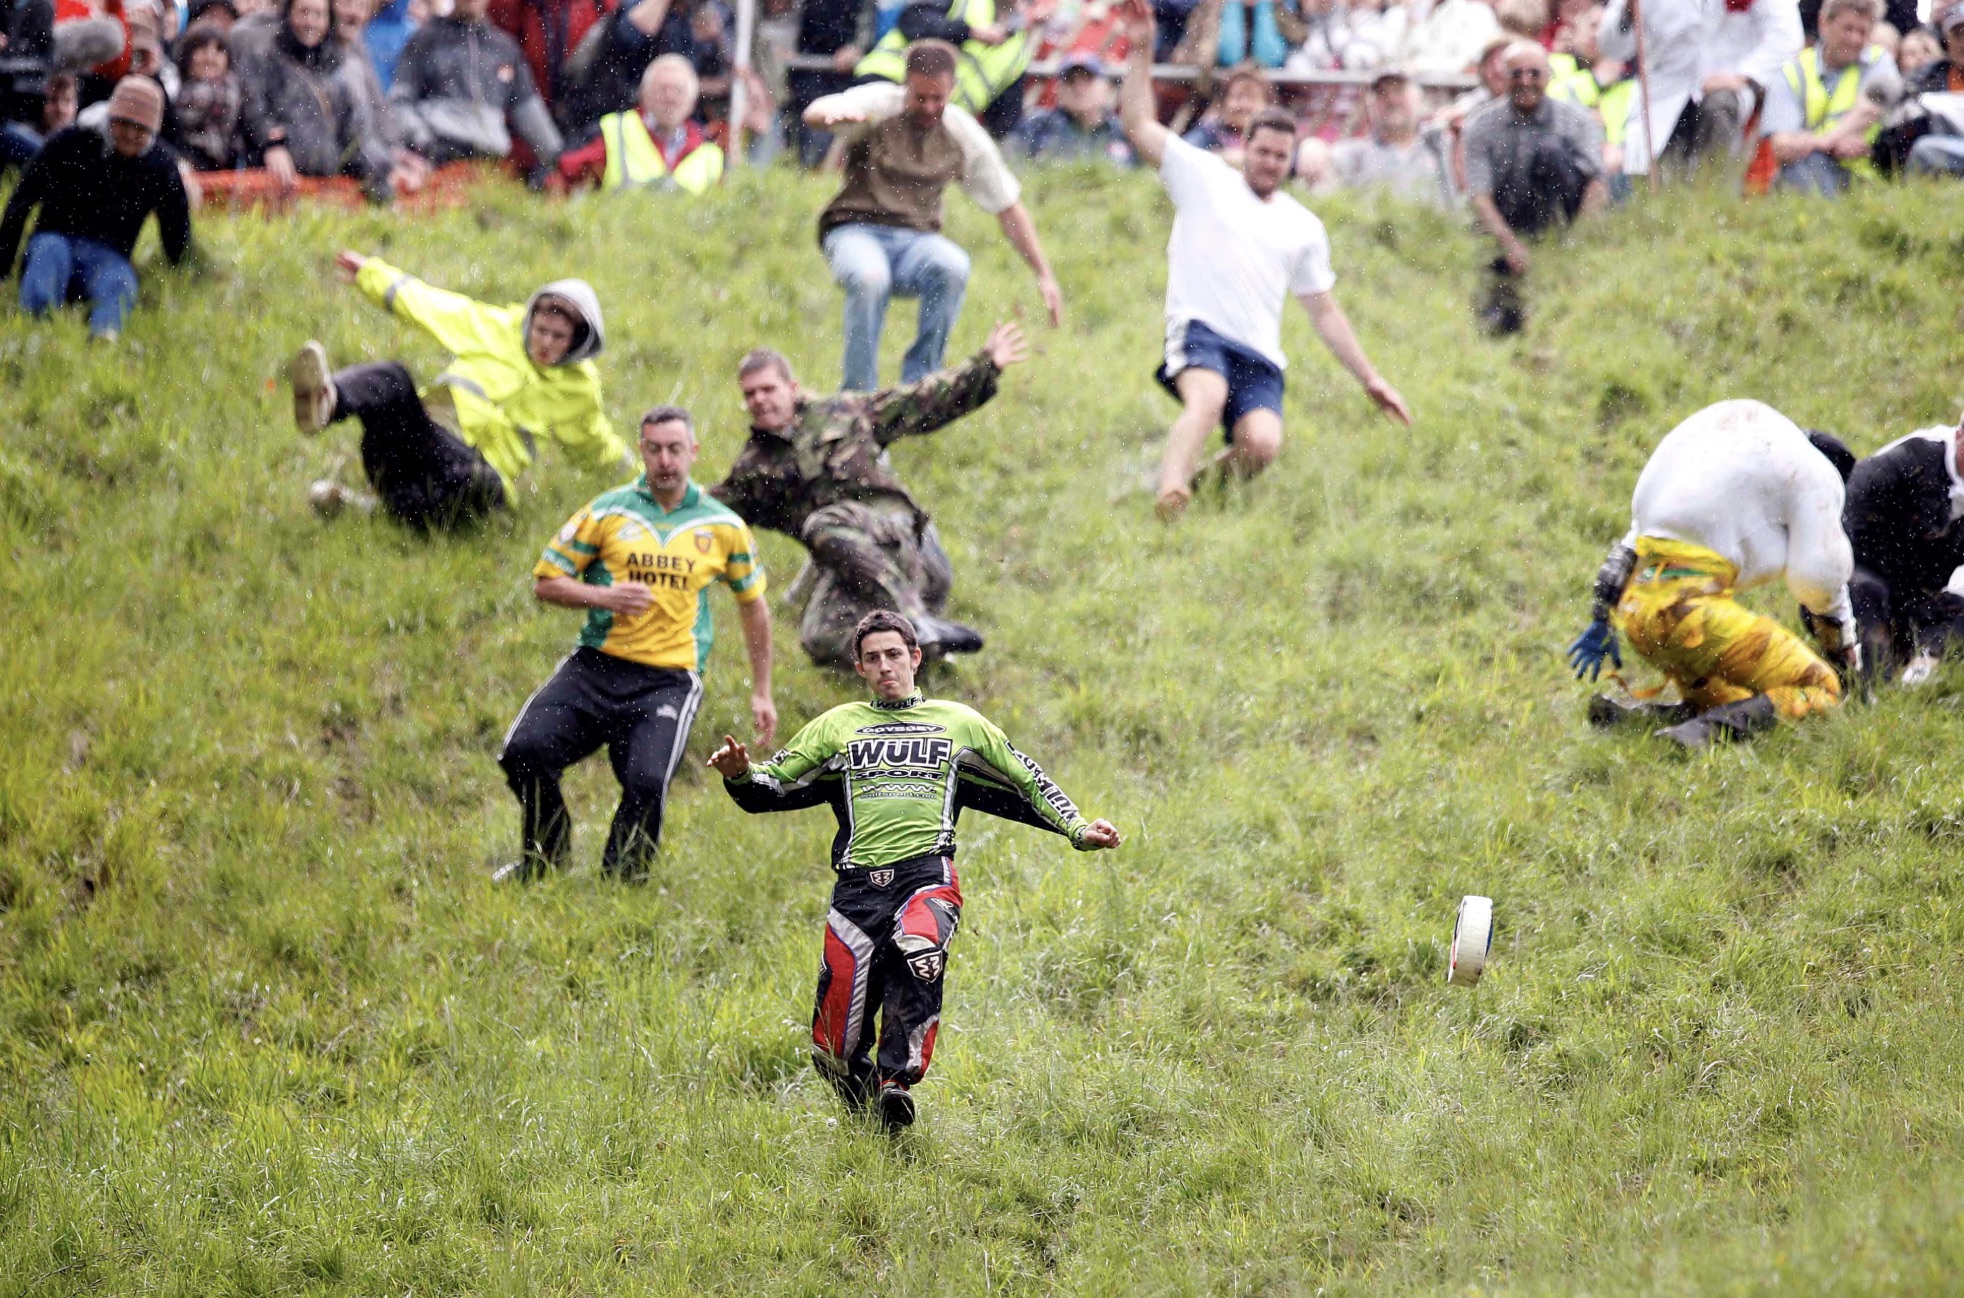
[[899, 773]]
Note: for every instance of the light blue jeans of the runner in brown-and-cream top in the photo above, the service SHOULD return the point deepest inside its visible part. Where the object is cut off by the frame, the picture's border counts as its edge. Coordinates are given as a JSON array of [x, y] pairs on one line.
[[877, 262]]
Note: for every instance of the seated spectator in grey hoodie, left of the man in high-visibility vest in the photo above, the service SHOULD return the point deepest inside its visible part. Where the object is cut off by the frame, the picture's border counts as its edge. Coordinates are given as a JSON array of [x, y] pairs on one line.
[[463, 91]]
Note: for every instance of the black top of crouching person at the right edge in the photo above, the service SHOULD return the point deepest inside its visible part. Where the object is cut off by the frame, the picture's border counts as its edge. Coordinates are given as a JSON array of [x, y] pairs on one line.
[[1898, 515]]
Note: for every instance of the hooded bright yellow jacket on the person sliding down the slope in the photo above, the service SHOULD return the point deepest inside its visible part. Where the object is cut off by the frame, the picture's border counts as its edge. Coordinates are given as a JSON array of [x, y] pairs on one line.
[[492, 394]]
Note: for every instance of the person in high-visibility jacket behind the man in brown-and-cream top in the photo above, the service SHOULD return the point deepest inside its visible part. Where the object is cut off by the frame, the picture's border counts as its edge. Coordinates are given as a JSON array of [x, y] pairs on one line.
[[993, 56]]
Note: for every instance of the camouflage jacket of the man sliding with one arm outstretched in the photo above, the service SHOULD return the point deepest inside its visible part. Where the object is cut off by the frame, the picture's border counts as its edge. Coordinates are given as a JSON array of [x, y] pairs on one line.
[[836, 449]]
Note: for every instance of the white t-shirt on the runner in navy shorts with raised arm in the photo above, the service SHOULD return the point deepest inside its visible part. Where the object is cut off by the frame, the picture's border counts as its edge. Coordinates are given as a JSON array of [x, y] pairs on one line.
[[1234, 258]]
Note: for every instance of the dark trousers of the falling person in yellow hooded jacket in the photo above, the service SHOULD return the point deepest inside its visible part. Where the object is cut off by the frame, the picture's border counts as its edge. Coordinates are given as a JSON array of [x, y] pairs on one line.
[[423, 472]]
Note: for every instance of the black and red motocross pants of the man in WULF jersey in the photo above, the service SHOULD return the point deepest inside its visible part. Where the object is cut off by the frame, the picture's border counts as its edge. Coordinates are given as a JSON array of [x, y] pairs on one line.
[[887, 953]]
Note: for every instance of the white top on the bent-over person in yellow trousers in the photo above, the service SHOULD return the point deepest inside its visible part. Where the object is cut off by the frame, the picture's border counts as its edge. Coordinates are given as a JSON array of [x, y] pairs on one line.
[[1745, 482]]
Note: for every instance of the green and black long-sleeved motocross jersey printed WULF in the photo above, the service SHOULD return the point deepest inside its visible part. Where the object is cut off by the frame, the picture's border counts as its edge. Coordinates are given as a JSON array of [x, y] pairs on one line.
[[899, 777]]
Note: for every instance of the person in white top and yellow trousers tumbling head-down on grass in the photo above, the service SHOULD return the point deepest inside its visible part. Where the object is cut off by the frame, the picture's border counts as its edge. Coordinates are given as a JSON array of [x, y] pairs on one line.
[[1735, 498]]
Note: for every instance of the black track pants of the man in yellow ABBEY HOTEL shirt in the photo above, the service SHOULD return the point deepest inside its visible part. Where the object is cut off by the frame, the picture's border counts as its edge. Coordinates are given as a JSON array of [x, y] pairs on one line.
[[641, 714]]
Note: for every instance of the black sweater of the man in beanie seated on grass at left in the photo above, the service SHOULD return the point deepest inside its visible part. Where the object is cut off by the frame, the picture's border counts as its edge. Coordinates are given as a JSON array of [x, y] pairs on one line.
[[89, 191]]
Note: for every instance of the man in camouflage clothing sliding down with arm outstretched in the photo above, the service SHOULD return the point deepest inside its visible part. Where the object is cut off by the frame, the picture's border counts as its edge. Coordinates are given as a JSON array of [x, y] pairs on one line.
[[816, 468]]
